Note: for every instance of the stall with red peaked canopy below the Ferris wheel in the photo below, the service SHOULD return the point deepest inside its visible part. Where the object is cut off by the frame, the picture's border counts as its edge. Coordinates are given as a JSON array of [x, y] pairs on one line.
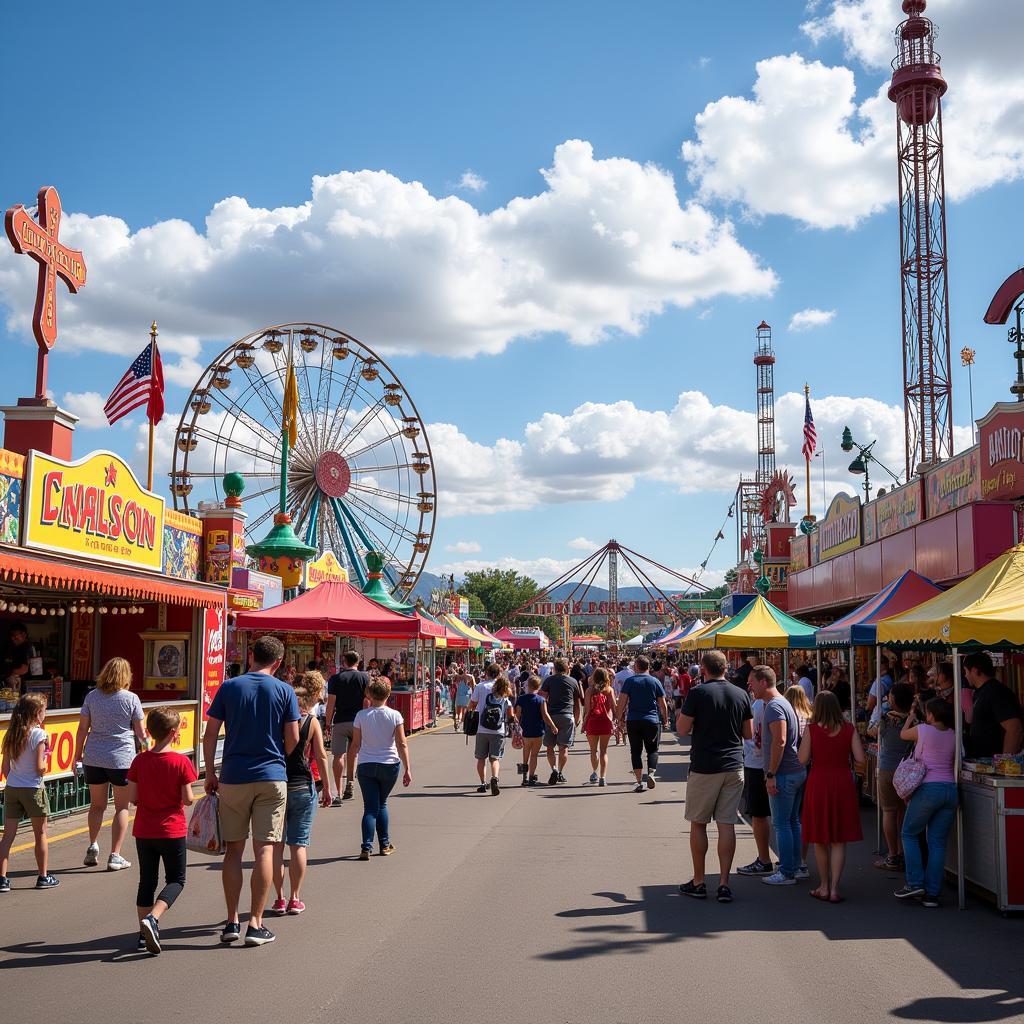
[[338, 613]]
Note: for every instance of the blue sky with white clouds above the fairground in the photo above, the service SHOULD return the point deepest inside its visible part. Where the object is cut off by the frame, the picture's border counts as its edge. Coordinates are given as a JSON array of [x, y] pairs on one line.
[[162, 113]]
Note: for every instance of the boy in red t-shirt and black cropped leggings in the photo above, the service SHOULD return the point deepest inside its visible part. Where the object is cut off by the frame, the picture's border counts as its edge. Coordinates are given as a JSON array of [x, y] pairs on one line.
[[160, 786]]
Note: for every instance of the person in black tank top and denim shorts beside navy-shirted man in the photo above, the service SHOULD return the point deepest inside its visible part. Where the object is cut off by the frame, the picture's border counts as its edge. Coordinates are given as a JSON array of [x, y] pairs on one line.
[[302, 807]]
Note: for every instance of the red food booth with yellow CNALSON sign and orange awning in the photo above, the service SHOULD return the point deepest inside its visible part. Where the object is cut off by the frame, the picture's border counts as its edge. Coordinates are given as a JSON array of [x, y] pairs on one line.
[[96, 567]]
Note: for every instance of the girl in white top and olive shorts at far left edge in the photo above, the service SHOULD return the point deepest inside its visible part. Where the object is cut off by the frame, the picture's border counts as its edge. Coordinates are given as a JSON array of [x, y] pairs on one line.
[[24, 765]]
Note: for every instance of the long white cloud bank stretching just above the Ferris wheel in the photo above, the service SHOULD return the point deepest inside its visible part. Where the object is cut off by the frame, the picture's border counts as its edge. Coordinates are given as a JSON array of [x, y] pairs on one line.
[[607, 244]]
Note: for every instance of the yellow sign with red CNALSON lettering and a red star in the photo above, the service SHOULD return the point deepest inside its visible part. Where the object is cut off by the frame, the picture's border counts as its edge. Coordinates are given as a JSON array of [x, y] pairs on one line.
[[95, 508]]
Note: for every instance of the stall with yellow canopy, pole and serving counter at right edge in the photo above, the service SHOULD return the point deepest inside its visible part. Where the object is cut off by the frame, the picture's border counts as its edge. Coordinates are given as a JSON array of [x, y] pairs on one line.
[[984, 613]]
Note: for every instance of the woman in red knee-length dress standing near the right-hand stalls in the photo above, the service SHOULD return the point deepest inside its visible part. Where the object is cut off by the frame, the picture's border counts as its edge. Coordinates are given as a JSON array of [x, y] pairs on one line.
[[832, 816]]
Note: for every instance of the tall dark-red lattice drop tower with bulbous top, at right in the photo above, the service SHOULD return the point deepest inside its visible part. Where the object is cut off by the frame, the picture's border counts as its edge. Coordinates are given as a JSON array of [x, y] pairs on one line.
[[917, 91]]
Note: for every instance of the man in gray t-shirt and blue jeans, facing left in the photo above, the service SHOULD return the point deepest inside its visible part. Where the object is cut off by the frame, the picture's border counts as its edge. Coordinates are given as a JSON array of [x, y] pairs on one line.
[[785, 776]]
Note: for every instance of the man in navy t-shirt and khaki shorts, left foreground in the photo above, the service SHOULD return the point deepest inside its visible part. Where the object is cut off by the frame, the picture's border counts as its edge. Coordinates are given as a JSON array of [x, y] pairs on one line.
[[261, 716]]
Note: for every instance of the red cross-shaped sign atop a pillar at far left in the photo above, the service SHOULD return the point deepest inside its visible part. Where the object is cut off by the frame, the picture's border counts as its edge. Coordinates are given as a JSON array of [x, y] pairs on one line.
[[56, 261]]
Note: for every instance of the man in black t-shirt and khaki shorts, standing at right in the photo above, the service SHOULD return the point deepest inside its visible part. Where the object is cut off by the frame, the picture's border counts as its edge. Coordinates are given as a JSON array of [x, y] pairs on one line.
[[718, 716]]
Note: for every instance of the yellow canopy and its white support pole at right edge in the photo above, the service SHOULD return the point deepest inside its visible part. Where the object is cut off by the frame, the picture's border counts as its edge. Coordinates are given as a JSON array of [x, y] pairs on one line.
[[987, 610]]
